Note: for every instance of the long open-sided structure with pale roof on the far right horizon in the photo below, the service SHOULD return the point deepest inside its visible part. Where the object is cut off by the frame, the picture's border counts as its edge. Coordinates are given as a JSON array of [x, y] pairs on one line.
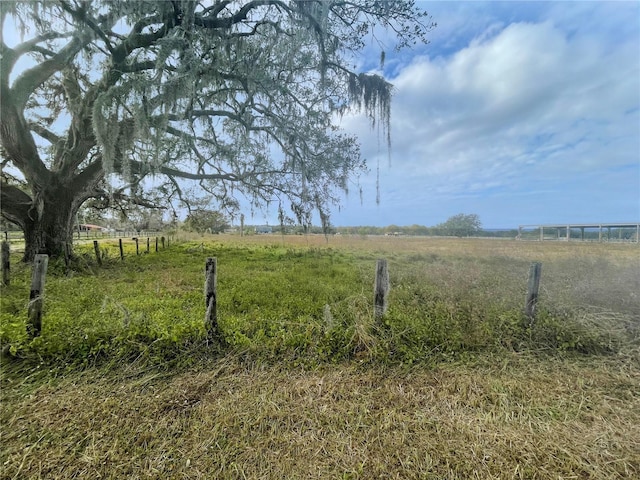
[[628, 232]]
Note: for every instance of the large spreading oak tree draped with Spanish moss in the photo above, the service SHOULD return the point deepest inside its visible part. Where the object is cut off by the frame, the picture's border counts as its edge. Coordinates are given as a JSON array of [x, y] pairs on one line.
[[240, 96]]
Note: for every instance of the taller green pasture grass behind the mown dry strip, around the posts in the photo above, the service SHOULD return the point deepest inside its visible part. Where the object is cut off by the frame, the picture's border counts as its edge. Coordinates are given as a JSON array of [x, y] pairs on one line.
[[313, 303]]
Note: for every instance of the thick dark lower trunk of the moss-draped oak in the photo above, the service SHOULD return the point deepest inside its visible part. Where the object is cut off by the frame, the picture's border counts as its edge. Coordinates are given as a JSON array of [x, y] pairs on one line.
[[49, 228]]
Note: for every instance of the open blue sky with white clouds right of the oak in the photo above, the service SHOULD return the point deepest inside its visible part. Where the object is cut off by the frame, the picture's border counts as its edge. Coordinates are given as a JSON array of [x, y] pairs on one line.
[[520, 112]]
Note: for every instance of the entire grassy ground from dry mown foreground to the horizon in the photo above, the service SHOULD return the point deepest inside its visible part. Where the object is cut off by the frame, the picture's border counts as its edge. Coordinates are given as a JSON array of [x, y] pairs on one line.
[[454, 382]]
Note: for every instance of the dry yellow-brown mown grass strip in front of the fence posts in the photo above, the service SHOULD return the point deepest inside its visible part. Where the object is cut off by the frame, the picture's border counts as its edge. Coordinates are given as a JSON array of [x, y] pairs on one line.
[[514, 417]]
